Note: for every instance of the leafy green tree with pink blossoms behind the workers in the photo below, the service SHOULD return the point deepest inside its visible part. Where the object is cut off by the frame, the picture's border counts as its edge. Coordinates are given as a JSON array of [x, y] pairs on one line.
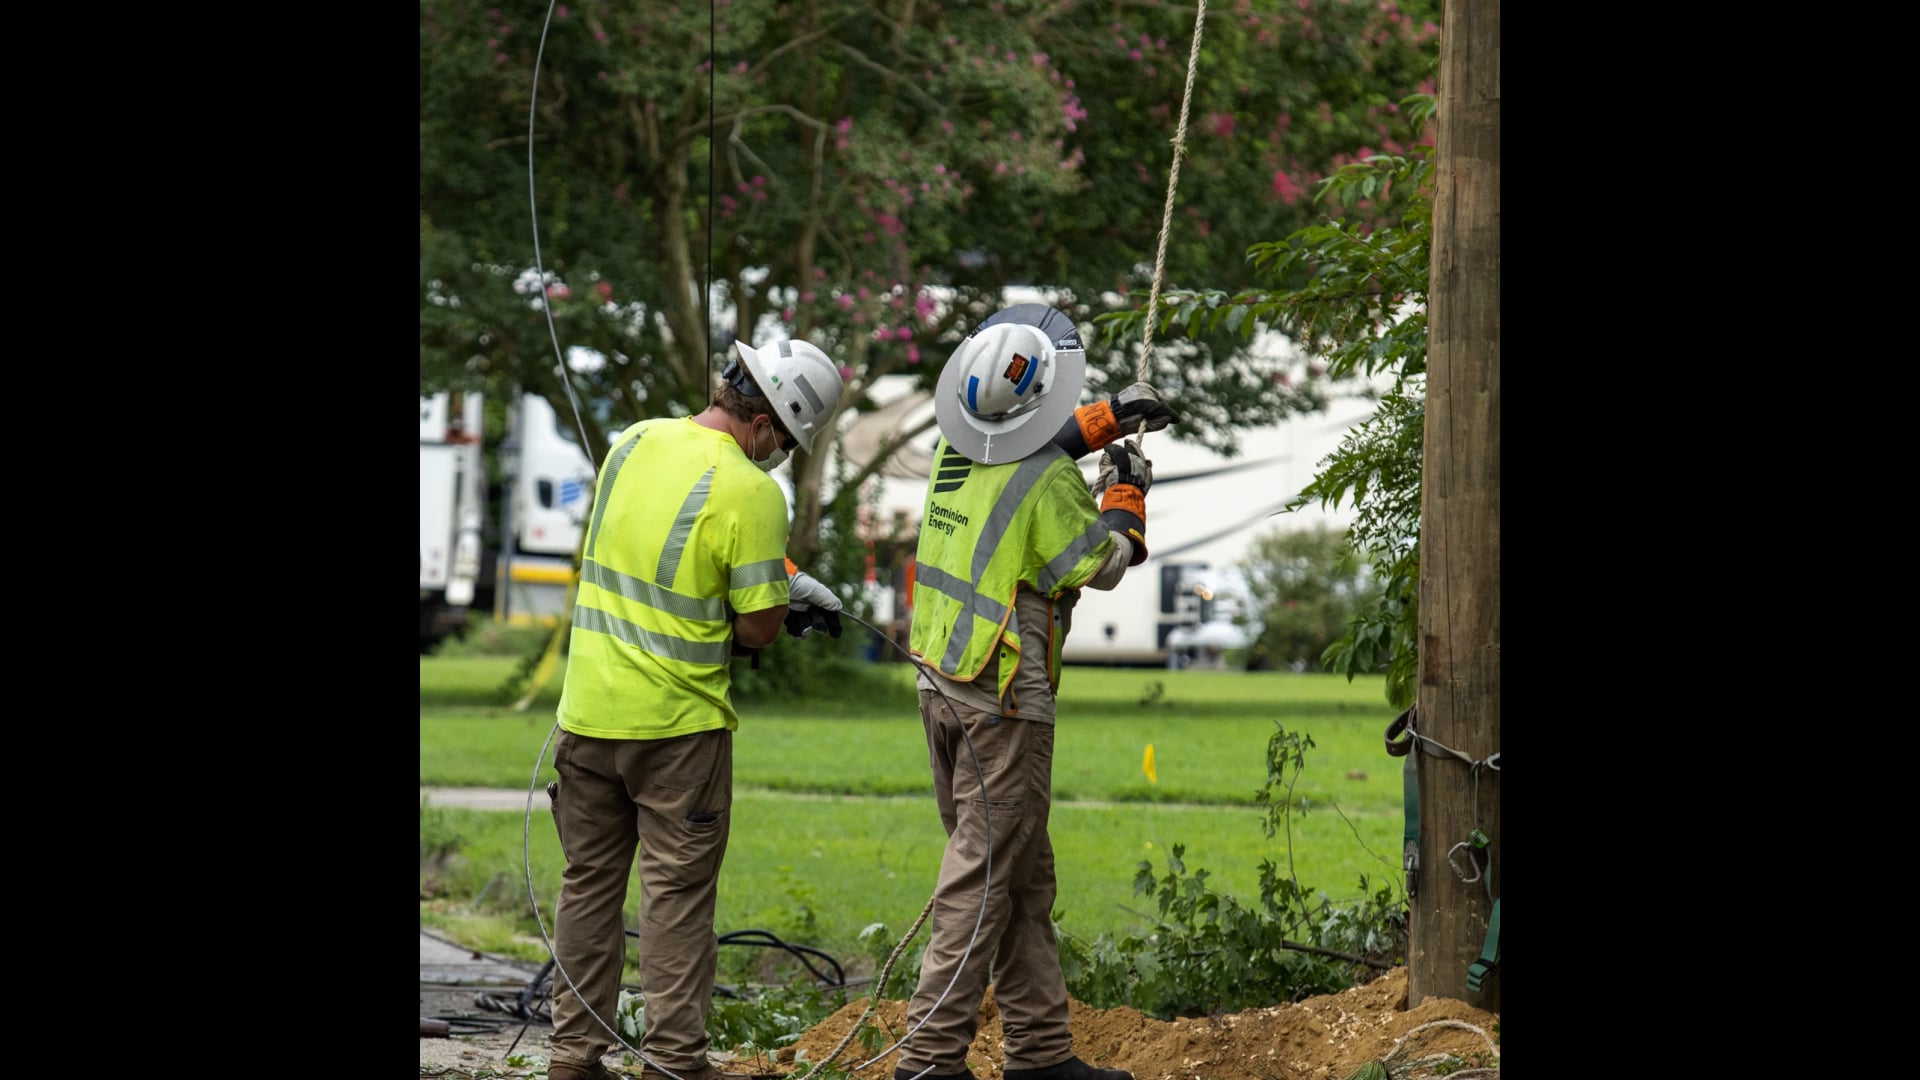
[[869, 178]]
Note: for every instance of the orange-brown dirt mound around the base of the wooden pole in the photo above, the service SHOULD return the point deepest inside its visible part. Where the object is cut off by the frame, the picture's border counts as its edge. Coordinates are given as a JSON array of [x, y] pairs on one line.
[[1318, 1039]]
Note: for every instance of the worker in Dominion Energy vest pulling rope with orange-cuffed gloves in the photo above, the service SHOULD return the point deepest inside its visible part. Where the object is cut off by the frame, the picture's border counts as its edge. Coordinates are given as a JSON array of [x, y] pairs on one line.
[[1009, 537]]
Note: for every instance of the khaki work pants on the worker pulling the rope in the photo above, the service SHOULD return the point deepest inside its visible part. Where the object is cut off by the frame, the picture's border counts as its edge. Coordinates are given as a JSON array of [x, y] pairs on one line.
[[1017, 937]]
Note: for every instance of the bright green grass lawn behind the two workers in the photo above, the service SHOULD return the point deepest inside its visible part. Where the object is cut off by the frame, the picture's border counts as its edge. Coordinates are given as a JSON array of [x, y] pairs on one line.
[[834, 823]]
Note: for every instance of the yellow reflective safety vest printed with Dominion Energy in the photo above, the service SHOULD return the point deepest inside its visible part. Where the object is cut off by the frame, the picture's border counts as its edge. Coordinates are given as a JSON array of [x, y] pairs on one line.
[[986, 531]]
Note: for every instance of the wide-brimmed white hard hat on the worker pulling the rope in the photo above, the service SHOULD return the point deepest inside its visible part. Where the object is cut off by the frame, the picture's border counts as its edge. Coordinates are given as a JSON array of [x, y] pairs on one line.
[[1011, 385]]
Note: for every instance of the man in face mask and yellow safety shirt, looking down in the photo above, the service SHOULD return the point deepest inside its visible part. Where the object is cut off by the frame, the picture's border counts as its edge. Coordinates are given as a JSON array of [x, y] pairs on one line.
[[683, 568]]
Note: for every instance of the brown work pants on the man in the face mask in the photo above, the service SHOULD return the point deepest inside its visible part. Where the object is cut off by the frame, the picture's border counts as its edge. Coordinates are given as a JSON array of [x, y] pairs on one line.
[[673, 798]]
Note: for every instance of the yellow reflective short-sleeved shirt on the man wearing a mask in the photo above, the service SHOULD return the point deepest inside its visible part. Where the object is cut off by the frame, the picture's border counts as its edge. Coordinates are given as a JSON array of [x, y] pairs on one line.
[[684, 528]]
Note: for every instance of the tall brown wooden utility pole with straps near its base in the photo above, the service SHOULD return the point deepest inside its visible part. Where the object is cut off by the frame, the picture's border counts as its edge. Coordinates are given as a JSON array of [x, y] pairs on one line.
[[1458, 699]]
